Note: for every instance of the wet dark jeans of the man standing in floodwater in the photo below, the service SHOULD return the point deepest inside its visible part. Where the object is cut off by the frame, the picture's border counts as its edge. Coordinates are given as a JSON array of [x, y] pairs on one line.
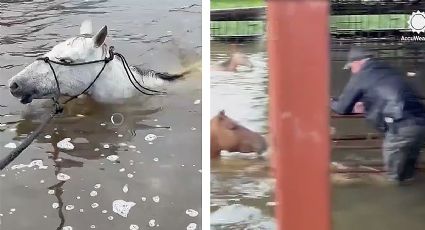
[[401, 151]]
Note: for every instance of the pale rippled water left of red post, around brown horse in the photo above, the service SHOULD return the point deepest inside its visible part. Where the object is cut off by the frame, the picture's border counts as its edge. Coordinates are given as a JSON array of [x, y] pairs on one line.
[[241, 188]]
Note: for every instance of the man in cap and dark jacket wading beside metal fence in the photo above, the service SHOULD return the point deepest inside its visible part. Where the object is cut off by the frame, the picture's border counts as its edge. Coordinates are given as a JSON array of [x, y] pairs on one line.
[[391, 105]]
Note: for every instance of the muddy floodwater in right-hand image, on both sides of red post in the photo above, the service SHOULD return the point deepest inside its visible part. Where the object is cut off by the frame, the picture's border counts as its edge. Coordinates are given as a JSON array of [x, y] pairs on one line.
[[241, 186]]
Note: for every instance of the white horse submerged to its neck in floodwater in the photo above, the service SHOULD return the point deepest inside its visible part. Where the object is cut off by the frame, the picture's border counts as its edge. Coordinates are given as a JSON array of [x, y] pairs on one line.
[[37, 80]]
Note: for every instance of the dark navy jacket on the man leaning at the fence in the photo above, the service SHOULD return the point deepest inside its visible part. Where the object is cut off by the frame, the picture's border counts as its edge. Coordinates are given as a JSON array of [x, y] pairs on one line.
[[384, 93]]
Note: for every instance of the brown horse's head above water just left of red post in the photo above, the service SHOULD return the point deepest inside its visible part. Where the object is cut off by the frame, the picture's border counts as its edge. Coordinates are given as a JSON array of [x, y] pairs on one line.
[[228, 135]]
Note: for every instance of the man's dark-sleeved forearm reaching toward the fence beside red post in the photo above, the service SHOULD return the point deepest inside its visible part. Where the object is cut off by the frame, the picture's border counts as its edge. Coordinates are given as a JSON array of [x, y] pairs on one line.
[[351, 94]]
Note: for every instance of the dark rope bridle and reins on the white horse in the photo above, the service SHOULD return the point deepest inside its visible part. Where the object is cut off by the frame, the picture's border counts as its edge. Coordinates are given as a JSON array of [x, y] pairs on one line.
[[106, 60]]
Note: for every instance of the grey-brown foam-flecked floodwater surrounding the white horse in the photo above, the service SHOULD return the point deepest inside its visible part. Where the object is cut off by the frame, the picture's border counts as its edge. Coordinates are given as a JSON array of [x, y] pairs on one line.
[[135, 165]]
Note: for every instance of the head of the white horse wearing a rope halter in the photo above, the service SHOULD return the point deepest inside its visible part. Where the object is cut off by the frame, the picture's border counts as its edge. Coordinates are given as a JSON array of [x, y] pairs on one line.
[[37, 81]]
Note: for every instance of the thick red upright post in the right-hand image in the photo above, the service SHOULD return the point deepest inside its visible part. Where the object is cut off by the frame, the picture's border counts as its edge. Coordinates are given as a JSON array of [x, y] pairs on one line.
[[298, 49]]
